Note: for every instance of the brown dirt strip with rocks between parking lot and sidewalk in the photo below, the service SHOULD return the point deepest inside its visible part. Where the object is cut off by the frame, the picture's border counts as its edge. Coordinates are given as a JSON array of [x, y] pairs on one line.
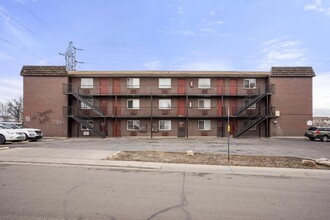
[[214, 159]]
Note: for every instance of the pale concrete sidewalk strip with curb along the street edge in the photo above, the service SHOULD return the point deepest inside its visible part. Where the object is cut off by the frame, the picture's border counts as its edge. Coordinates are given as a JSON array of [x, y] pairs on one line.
[[171, 167]]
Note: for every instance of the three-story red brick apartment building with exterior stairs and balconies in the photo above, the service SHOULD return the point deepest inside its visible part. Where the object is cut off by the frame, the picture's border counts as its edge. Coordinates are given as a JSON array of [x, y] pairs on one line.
[[167, 103]]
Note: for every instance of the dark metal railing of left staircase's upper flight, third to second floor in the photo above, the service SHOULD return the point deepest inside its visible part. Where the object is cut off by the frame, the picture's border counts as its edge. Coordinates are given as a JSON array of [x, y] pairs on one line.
[[67, 89]]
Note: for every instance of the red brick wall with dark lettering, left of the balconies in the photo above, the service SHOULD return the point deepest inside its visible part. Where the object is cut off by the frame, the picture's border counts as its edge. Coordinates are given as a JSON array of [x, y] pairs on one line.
[[43, 103]]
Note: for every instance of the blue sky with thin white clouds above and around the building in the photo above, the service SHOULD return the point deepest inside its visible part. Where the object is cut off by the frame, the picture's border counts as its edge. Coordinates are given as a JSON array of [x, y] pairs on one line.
[[220, 35]]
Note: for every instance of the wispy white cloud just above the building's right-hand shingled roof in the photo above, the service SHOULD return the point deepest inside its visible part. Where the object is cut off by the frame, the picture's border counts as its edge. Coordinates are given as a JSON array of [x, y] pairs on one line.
[[277, 52]]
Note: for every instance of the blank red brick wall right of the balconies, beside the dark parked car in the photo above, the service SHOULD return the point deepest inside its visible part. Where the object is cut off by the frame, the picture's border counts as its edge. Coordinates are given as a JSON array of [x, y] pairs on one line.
[[293, 99]]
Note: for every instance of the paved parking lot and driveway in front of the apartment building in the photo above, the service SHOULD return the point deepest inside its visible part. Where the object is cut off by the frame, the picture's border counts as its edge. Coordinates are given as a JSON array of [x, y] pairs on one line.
[[94, 148]]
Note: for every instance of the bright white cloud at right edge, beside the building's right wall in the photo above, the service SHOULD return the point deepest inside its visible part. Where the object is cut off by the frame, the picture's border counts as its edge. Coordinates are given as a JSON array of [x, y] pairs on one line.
[[321, 98]]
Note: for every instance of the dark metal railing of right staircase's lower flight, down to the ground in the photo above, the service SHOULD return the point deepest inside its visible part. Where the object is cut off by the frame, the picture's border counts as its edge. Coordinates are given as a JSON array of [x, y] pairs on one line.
[[254, 120]]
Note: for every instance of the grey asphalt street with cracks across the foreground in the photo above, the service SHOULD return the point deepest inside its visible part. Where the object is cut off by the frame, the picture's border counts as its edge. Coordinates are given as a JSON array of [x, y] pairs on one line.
[[74, 192]]
